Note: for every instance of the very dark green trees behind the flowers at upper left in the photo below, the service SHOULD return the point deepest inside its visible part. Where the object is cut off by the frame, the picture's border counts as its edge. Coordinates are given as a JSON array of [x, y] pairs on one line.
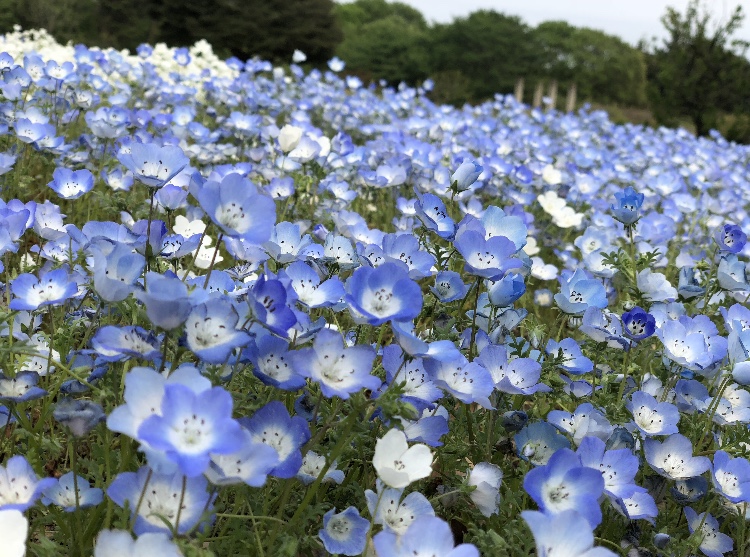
[[271, 29]]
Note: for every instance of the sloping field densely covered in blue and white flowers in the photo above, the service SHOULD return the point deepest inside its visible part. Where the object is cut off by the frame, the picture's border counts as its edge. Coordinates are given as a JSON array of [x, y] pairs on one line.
[[257, 310]]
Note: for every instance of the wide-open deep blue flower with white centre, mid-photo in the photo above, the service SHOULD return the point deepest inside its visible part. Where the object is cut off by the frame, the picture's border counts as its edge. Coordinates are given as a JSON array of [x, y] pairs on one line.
[[386, 293]]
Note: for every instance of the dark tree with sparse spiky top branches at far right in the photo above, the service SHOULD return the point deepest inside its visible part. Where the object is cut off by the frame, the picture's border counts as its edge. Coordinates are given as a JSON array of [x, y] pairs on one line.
[[699, 71]]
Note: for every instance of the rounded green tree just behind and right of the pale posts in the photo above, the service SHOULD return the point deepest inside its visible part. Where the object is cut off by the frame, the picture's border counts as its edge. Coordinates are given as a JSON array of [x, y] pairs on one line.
[[603, 67]]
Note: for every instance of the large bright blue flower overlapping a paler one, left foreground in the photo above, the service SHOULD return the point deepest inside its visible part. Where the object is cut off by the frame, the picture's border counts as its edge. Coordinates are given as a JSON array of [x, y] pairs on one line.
[[192, 426]]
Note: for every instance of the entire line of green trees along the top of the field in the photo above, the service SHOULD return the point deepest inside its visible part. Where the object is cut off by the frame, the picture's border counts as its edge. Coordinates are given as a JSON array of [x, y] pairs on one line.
[[698, 73]]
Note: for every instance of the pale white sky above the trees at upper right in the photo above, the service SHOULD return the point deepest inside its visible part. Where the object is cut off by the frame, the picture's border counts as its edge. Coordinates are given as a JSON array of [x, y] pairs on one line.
[[630, 19]]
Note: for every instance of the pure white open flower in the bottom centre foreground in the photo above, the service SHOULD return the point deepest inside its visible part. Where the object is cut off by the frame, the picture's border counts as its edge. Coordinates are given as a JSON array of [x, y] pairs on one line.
[[397, 464]]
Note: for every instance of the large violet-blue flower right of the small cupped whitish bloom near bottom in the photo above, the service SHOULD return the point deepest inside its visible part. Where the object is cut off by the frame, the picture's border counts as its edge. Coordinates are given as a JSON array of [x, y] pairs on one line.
[[565, 484]]
